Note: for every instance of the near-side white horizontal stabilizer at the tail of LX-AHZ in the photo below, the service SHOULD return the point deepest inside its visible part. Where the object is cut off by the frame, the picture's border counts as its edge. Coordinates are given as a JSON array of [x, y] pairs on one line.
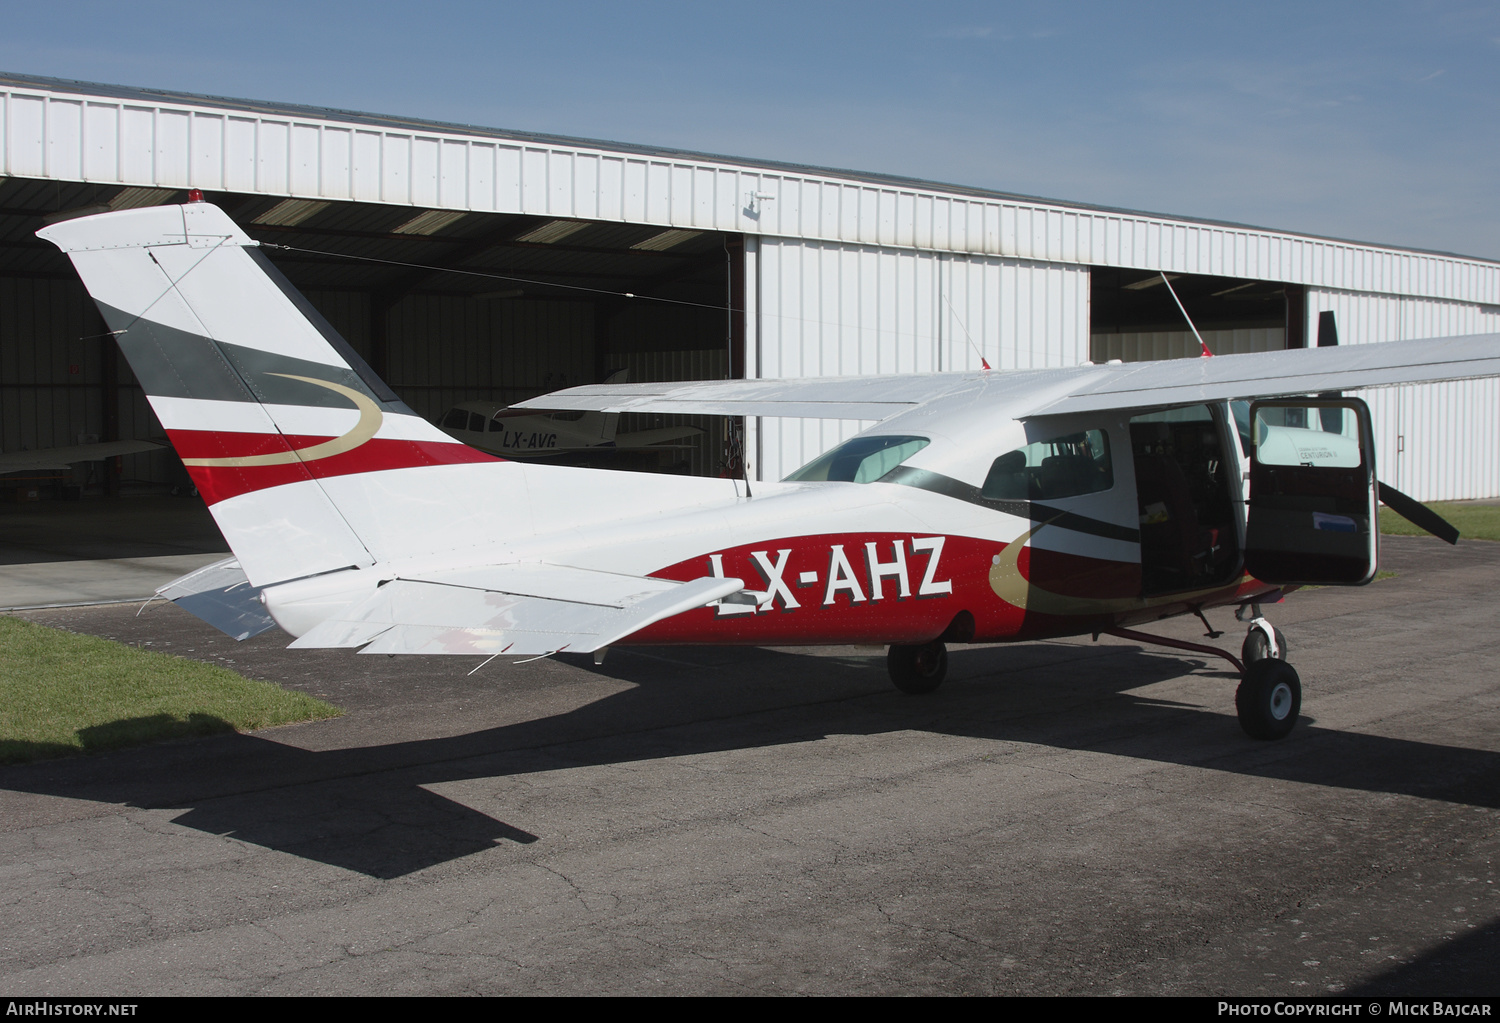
[[533, 610]]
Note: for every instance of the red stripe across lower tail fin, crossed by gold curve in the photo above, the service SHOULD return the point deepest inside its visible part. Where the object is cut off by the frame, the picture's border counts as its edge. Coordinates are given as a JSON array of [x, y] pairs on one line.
[[223, 482]]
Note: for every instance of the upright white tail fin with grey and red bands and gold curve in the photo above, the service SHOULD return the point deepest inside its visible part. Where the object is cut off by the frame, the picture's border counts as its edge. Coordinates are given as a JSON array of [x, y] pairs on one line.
[[257, 392]]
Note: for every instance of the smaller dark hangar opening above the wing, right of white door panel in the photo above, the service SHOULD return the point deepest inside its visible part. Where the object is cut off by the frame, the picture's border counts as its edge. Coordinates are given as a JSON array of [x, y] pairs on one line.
[[1133, 316]]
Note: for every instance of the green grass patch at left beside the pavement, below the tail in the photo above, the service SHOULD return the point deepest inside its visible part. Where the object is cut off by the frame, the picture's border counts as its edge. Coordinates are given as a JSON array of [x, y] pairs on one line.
[[64, 694]]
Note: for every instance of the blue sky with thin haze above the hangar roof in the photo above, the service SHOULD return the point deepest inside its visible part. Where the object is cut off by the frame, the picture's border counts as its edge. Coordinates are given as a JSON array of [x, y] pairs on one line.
[[1376, 122]]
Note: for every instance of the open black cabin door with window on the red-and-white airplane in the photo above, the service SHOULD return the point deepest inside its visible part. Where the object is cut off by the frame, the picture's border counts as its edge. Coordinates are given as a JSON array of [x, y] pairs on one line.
[[1312, 515]]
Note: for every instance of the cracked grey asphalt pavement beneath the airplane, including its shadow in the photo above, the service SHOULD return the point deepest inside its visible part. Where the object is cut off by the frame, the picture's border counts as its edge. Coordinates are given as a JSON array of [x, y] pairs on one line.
[[1058, 818]]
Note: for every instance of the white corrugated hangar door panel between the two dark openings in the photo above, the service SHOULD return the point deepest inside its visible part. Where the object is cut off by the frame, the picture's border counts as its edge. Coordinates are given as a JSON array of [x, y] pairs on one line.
[[847, 311]]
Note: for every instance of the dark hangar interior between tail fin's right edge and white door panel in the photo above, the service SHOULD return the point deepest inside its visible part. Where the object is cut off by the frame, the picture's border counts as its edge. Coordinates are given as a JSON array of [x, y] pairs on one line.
[[464, 314]]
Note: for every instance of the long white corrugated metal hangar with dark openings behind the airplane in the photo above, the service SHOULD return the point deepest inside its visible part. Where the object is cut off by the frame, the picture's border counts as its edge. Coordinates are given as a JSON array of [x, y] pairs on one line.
[[467, 263]]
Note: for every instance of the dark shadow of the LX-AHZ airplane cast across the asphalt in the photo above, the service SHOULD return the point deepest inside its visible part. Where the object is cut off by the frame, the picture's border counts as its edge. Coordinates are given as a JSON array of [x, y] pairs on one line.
[[368, 809]]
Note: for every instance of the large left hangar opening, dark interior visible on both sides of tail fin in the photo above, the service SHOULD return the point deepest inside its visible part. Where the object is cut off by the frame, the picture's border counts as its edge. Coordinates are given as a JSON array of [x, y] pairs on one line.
[[448, 307]]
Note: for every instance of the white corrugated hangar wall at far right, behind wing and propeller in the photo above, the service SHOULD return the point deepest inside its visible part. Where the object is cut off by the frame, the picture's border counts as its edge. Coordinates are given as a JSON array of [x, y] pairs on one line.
[[1435, 442]]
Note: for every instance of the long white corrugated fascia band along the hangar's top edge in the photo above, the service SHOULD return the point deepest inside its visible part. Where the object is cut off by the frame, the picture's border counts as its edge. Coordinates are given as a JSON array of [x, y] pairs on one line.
[[55, 133]]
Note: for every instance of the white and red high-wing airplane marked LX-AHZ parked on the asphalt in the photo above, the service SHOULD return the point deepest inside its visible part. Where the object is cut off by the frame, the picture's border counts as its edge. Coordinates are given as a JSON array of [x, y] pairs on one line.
[[983, 508]]
